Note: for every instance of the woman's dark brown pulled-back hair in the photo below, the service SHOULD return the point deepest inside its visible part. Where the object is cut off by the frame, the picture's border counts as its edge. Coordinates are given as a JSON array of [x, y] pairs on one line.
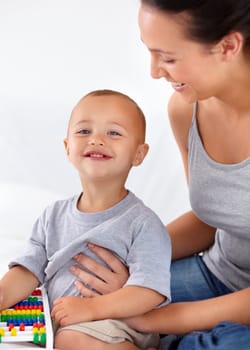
[[208, 21]]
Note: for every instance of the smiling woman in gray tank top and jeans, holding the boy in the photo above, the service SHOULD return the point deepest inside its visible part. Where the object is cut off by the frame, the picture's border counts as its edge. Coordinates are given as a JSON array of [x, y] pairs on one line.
[[203, 49]]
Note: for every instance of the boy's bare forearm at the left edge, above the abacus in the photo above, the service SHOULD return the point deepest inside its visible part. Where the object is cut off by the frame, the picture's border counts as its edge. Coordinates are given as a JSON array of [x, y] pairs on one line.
[[16, 285]]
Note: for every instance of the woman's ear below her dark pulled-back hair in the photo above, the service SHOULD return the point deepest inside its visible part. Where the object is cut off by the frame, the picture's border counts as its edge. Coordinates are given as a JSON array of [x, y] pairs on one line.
[[231, 45]]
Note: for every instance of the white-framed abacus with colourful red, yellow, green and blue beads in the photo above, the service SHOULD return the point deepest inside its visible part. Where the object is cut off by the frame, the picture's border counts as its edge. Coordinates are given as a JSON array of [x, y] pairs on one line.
[[28, 321]]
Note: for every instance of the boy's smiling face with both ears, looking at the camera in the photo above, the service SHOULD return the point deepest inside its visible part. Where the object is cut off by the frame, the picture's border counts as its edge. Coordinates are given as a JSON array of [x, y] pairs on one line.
[[105, 137]]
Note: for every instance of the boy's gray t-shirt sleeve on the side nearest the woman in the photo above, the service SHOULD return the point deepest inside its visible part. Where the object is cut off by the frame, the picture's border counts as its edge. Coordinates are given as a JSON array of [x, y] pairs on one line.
[[149, 258]]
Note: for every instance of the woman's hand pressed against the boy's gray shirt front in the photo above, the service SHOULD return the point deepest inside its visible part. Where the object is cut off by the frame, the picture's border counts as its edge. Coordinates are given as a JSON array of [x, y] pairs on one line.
[[105, 280]]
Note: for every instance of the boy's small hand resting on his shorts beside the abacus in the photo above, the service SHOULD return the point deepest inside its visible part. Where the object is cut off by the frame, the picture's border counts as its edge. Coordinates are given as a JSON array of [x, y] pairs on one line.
[[72, 309]]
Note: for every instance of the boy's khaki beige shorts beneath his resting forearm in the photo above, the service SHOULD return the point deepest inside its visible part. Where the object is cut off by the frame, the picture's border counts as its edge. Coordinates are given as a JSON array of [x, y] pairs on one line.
[[114, 331]]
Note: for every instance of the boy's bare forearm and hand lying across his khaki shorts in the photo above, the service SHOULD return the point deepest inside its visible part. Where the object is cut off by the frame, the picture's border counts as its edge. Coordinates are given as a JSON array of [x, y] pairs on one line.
[[125, 302]]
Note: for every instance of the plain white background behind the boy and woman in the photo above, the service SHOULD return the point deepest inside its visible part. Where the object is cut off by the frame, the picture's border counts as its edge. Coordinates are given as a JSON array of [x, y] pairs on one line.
[[52, 52]]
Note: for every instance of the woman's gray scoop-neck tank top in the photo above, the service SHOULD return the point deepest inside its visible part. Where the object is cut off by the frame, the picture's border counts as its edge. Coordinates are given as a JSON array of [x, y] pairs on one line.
[[220, 196]]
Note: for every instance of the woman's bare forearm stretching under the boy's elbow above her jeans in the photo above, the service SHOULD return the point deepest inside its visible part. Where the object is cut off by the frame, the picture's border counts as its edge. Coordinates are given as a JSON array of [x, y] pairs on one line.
[[186, 317]]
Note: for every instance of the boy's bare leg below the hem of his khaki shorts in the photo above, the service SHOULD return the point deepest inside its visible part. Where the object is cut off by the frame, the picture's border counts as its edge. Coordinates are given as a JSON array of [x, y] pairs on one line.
[[72, 340]]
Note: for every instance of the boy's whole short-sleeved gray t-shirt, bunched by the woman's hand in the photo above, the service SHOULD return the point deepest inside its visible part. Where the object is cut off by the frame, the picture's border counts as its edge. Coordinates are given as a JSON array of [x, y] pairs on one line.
[[129, 229]]
